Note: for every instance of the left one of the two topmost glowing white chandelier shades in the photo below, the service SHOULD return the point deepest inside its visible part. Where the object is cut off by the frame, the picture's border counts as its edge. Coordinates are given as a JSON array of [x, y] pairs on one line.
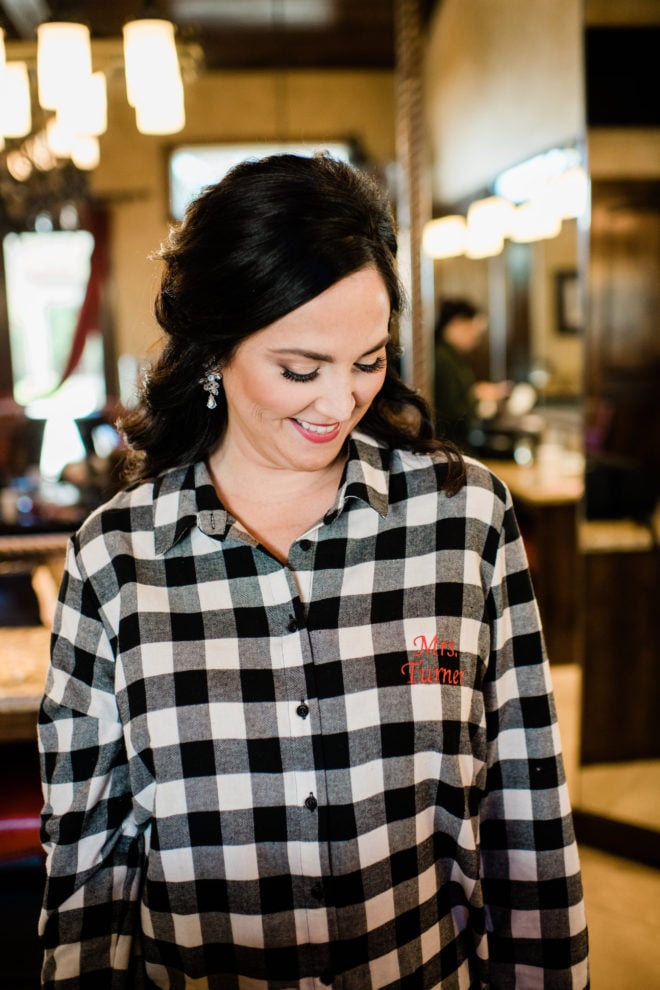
[[64, 62]]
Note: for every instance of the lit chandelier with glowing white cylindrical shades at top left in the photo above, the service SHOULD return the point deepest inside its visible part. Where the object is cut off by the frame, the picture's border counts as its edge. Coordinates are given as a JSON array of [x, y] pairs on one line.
[[72, 98]]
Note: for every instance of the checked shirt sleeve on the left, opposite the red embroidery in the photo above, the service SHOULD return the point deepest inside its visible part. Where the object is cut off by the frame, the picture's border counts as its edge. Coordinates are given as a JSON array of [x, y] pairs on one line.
[[93, 842]]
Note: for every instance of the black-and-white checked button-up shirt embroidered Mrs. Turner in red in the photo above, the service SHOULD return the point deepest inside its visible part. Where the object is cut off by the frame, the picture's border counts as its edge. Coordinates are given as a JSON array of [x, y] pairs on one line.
[[341, 772]]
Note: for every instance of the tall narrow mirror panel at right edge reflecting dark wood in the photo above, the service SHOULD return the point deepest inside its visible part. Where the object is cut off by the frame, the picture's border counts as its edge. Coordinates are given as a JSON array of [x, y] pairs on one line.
[[620, 743]]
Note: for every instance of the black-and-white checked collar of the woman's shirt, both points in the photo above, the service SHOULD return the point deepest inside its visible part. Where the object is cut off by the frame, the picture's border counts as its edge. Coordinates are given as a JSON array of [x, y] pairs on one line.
[[185, 496]]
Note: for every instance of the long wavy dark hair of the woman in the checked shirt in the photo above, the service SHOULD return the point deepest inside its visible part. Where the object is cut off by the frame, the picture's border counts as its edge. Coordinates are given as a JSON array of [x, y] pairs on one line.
[[273, 234]]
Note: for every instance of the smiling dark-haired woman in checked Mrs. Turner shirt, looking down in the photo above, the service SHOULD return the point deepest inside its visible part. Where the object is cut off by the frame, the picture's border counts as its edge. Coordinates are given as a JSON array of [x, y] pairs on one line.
[[298, 729]]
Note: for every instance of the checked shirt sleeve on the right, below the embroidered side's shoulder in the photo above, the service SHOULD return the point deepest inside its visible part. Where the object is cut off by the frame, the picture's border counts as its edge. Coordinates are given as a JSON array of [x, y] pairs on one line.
[[534, 907]]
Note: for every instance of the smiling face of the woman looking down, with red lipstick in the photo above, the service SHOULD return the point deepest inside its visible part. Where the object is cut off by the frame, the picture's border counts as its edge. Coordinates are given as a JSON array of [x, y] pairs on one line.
[[297, 388]]
